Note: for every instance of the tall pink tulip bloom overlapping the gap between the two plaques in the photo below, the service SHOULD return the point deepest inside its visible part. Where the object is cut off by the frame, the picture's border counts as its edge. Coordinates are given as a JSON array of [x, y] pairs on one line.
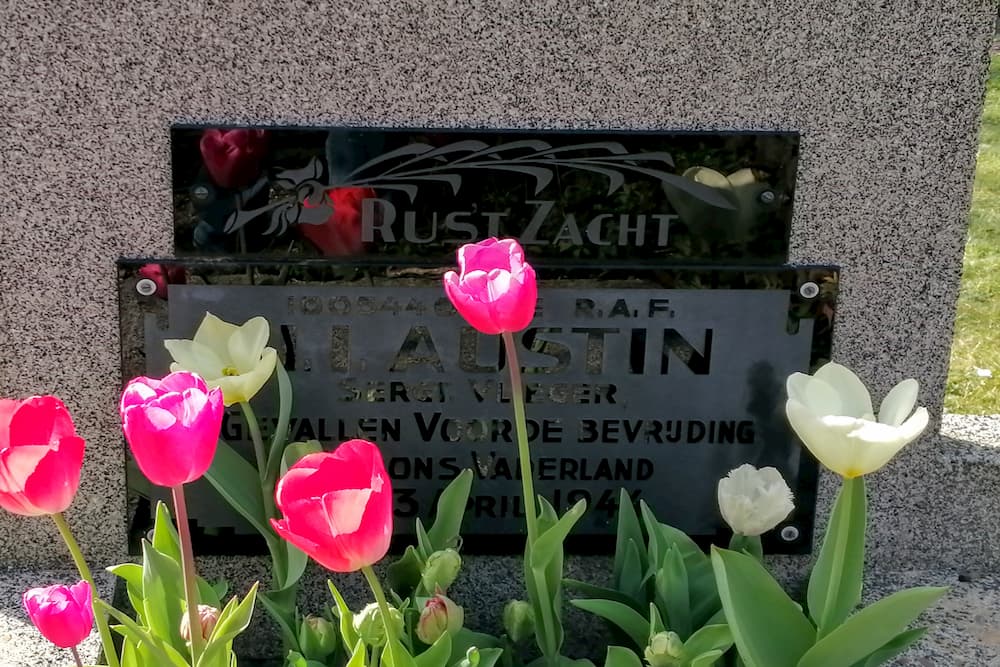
[[495, 289]]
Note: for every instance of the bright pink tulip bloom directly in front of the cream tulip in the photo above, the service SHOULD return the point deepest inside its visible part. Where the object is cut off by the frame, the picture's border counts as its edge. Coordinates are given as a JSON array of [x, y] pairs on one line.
[[172, 426]]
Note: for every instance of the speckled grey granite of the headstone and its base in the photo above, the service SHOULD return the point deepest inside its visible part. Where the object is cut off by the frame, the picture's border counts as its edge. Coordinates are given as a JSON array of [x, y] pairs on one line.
[[886, 97]]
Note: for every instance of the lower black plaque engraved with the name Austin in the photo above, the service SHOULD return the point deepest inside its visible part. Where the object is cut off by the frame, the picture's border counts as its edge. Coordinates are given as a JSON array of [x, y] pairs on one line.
[[656, 380]]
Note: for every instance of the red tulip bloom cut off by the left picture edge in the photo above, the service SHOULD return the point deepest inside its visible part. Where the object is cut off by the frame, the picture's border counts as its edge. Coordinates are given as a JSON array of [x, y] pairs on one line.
[[40, 456]]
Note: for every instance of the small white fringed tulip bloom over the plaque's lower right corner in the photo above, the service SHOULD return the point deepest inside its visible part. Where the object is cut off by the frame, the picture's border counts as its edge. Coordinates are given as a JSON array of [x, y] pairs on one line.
[[754, 501]]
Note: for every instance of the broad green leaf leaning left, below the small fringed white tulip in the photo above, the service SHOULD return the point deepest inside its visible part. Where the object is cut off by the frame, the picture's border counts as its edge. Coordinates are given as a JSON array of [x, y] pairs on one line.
[[768, 628]]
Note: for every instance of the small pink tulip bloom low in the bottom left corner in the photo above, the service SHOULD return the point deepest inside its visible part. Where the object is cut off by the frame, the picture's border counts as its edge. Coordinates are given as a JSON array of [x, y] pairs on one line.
[[63, 614]]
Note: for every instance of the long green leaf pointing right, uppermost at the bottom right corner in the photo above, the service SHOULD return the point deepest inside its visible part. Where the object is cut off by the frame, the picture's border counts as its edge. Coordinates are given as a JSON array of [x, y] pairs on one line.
[[870, 629]]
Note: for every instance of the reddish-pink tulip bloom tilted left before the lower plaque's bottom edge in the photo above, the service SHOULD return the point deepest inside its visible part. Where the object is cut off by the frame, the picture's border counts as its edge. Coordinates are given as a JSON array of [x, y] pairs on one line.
[[337, 506]]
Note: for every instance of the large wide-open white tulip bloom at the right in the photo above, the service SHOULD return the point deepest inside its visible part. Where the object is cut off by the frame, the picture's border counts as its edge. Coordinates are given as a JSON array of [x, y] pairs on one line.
[[832, 414]]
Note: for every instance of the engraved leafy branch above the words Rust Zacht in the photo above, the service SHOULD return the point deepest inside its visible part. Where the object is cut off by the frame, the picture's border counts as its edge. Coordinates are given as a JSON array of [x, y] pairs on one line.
[[403, 169]]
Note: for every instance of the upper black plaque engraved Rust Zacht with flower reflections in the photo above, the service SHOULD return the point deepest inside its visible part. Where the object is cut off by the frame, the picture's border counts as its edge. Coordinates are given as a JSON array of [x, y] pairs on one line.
[[386, 195]]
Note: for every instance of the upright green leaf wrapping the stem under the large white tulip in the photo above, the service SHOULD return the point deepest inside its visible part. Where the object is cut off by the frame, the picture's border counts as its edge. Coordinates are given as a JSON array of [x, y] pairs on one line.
[[835, 583]]
